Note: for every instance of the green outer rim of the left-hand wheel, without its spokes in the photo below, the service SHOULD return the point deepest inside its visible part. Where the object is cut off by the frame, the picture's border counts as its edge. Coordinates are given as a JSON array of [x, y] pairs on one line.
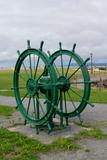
[[19, 99]]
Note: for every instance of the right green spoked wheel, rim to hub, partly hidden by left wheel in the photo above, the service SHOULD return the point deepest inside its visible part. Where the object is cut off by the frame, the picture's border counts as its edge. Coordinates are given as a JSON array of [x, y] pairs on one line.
[[67, 90]]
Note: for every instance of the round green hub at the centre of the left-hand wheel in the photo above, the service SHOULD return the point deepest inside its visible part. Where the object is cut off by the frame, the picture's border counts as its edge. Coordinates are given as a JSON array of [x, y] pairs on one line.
[[31, 86]]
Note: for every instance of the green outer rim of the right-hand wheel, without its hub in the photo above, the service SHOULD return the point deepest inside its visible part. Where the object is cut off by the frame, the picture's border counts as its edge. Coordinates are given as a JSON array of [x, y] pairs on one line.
[[87, 87]]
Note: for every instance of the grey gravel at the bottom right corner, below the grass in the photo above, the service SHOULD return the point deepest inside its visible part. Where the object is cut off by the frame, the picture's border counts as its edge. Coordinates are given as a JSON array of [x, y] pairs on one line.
[[91, 150]]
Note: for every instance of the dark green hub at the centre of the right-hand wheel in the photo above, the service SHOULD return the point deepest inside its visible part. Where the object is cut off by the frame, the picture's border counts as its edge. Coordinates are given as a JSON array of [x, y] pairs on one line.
[[63, 83]]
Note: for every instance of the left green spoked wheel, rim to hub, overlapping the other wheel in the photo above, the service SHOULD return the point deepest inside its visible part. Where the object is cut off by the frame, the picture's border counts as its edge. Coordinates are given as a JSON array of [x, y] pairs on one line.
[[31, 102]]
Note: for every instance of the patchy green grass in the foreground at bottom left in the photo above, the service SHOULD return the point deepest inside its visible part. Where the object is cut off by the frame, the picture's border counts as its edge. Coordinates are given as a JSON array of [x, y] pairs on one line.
[[15, 146]]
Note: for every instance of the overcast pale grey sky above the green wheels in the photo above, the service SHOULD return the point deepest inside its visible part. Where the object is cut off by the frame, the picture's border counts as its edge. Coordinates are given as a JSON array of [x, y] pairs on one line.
[[70, 21]]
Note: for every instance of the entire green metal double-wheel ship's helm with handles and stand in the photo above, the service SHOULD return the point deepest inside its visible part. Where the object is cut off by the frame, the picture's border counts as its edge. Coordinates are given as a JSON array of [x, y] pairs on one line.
[[52, 86]]
